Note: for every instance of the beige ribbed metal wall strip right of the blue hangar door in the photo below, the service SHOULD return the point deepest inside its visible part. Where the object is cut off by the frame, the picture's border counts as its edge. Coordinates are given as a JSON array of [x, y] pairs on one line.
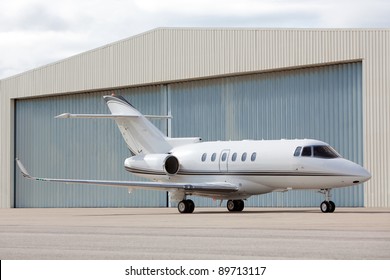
[[377, 120]]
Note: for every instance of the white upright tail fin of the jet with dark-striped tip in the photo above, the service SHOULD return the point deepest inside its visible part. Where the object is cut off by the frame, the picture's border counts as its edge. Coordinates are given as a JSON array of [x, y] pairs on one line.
[[140, 135]]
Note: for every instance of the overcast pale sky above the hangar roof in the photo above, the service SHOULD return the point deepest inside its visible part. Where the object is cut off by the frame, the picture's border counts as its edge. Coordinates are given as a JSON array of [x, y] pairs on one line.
[[37, 32]]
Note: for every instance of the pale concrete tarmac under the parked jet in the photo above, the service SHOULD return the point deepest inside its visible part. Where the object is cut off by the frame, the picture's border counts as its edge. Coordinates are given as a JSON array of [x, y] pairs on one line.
[[208, 233]]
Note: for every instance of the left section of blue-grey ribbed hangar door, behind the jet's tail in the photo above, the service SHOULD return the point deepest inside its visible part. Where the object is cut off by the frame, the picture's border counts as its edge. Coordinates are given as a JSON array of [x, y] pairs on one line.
[[89, 149]]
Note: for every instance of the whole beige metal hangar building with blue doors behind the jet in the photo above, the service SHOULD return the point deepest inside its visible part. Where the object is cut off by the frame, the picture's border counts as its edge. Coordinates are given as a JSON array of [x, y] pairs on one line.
[[219, 84]]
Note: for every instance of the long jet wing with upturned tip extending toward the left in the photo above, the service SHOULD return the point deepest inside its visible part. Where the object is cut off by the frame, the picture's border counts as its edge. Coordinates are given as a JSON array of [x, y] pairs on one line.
[[200, 188]]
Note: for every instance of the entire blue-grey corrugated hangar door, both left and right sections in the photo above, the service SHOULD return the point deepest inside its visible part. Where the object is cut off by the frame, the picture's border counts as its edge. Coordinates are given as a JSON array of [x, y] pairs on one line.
[[321, 102]]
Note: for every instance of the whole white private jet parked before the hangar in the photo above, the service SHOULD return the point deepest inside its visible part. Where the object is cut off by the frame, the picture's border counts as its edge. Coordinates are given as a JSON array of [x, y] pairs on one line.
[[222, 170]]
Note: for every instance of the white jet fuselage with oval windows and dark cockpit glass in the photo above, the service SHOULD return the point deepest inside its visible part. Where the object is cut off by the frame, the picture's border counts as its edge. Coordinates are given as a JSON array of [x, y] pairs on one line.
[[257, 167]]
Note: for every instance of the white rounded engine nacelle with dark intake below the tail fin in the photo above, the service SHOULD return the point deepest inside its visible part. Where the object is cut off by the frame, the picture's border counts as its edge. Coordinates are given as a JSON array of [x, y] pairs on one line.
[[153, 164]]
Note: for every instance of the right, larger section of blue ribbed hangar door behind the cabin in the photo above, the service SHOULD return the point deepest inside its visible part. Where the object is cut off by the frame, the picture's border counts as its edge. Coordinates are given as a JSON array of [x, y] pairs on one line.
[[323, 103]]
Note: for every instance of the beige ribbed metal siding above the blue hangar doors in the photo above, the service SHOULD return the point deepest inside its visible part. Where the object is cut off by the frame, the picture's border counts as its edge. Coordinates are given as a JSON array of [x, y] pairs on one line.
[[176, 54]]
